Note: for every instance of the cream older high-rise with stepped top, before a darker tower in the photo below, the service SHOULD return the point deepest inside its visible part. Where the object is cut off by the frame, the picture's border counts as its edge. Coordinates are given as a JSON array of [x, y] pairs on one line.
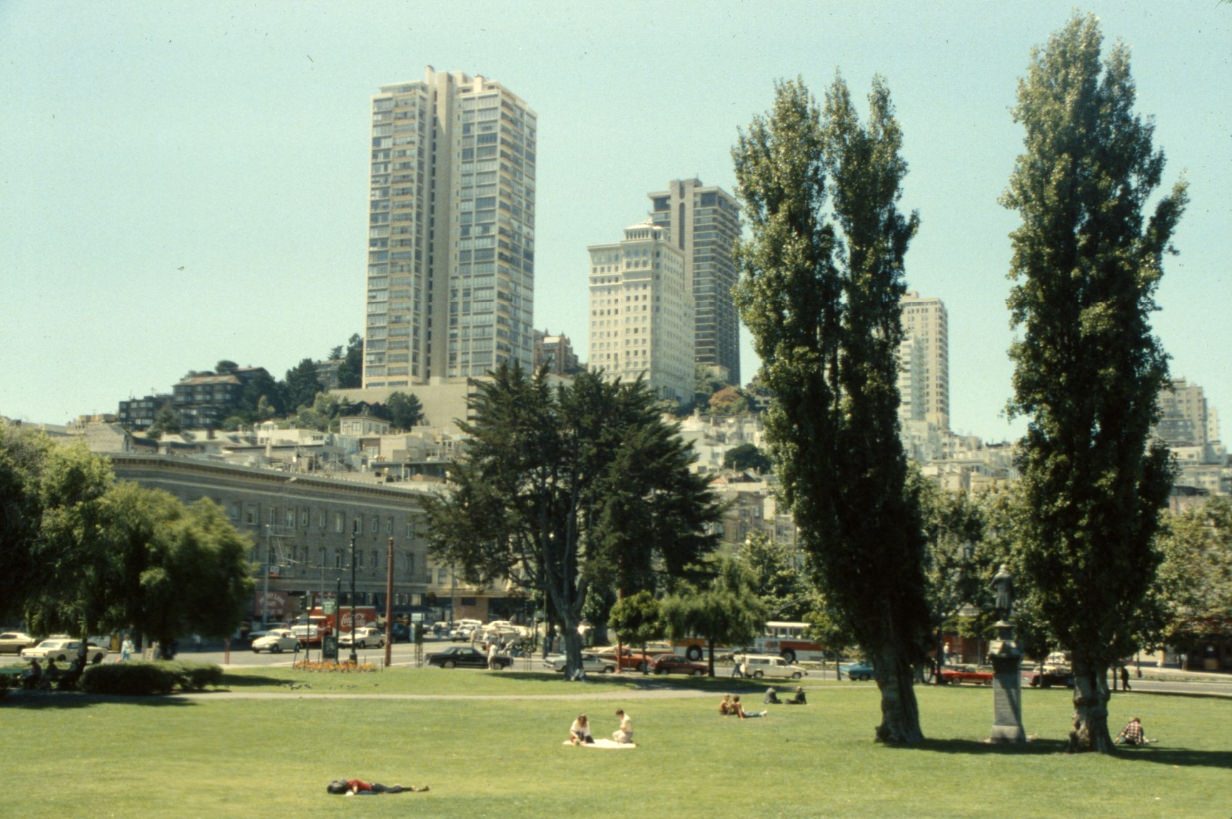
[[641, 316]]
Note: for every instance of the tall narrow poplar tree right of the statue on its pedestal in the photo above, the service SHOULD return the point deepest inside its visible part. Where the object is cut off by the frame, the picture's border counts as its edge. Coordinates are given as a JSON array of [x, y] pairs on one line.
[[1088, 369]]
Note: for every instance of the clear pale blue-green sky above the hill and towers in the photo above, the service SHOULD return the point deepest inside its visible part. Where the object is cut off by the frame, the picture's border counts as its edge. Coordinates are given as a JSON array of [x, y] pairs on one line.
[[184, 183]]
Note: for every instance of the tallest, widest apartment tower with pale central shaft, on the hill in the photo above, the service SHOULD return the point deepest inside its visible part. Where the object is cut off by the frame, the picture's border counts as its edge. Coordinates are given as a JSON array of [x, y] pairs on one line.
[[452, 232]]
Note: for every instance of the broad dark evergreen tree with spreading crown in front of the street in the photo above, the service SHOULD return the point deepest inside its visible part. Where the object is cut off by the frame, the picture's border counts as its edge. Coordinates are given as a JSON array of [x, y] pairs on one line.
[[571, 492]]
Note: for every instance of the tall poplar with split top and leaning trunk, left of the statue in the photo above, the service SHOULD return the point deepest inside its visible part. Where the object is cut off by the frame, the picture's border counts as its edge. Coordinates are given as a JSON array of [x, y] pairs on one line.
[[822, 275]]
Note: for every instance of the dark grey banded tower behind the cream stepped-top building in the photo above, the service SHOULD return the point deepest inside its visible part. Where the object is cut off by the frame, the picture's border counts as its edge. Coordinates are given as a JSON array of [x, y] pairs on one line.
[[705, 224]]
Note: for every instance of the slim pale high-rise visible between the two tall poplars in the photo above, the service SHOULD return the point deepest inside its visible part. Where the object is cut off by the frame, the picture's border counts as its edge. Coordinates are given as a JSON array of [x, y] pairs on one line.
[[925, 363]]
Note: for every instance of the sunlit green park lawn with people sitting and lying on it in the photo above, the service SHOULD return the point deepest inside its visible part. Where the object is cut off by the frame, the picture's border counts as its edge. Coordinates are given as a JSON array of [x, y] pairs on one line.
[[490, 746]]
